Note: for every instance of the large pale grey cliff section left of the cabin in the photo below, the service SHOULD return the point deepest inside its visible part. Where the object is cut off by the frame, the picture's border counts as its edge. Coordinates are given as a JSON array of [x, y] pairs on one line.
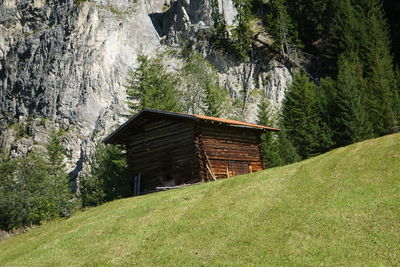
[[67, 63]]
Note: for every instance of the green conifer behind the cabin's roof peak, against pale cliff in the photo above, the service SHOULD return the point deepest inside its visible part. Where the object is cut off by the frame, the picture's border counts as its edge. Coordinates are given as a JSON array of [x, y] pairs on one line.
[[151, 86]]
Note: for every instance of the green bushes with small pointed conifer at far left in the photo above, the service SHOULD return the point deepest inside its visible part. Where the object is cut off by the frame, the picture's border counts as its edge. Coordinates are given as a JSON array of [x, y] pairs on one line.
[[35, 188]]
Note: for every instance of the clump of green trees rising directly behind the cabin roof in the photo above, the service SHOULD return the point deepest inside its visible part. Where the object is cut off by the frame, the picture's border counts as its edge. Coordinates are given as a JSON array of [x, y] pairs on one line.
[[194, 89]]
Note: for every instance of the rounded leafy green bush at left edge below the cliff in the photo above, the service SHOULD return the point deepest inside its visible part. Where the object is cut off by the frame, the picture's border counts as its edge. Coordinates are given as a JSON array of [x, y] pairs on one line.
[[28, 193]]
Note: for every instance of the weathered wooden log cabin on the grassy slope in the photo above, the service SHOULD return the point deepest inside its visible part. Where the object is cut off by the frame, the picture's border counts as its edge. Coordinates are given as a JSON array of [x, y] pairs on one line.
[[168, 148]]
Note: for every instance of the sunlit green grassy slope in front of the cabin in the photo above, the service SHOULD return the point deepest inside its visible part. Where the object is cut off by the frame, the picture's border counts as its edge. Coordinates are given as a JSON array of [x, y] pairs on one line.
[[339, 208]]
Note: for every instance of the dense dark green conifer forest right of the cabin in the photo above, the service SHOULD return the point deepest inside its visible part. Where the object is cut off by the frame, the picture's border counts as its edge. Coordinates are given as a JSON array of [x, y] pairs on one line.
[[356, 93]]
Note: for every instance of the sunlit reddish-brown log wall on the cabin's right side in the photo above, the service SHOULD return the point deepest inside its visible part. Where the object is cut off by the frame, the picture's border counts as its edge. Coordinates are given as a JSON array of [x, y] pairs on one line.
[[231, 151]]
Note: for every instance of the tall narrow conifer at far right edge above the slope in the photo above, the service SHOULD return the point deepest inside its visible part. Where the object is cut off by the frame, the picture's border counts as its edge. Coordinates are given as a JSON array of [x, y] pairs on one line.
[[379, 71]]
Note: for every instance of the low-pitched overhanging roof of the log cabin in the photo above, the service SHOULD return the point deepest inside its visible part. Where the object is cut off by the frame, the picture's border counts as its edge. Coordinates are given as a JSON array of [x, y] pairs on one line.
[[152, 113]]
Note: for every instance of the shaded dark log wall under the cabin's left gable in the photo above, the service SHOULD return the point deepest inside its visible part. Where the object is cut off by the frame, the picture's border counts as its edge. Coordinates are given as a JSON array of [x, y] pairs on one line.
[[163, 151]]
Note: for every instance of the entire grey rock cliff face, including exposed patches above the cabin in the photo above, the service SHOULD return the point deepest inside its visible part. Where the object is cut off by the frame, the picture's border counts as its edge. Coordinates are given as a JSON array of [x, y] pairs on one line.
[[64, 63]]
